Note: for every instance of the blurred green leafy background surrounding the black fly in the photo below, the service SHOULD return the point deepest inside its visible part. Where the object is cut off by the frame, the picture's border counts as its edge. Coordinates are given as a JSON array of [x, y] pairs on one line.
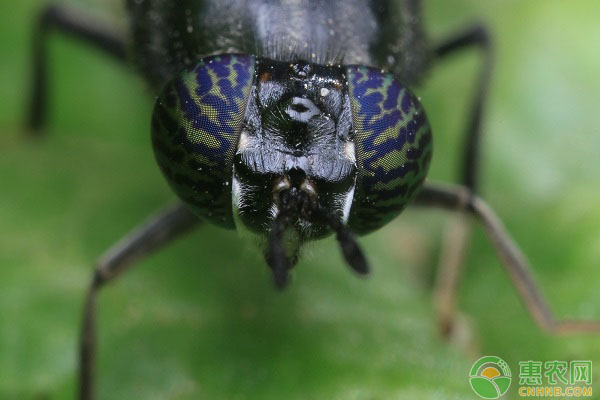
[[201, 318]]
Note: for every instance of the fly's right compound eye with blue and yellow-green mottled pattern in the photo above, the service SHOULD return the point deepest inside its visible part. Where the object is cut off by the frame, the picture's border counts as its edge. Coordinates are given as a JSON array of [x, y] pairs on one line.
[[392, 143]]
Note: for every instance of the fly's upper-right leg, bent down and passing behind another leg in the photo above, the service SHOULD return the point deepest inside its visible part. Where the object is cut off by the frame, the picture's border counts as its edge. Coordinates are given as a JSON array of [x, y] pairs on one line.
[[456, 236]]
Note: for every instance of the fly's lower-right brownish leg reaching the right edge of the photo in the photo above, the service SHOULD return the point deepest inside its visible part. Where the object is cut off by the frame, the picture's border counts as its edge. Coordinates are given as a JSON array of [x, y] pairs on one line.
[[462, 199]]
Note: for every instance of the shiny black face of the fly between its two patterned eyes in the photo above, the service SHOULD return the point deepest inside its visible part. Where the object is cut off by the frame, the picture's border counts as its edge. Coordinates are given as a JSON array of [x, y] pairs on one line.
[[296, 139]]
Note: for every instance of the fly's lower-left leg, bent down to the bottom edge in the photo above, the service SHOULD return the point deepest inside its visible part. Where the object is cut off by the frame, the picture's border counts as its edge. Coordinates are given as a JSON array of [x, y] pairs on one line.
[[148, 237]]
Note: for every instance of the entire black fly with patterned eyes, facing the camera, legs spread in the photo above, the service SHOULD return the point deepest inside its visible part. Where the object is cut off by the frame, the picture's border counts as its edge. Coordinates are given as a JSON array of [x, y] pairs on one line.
[[293, 130]]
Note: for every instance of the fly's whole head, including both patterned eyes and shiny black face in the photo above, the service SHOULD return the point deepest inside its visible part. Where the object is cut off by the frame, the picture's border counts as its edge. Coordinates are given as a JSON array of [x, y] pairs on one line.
[[243, 139]]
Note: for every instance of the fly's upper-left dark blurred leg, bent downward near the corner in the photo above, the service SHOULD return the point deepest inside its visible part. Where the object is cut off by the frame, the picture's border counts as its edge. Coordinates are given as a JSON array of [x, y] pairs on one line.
[[73, 23]]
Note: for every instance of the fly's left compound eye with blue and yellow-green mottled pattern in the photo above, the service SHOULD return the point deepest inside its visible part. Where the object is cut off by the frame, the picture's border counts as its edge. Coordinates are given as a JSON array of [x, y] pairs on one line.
[[196, 125]]
